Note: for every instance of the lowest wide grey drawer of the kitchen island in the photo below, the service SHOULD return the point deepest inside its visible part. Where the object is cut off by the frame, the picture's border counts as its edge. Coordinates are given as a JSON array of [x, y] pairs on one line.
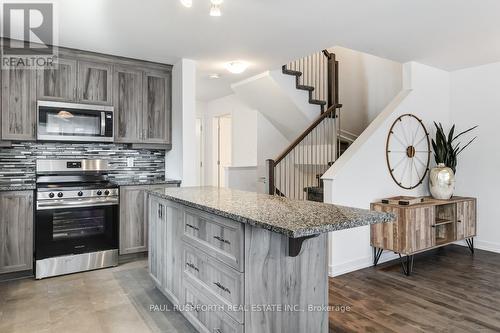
[[205, 316]]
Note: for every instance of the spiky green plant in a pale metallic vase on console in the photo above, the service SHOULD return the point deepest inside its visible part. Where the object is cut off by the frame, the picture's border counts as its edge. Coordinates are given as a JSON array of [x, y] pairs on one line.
[[446, 150]]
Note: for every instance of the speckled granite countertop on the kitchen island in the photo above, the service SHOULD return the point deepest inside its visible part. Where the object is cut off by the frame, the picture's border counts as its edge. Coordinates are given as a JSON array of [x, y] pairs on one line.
[[293, 218]]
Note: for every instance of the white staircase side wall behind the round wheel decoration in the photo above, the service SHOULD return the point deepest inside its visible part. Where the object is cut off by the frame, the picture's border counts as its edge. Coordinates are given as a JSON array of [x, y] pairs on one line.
[[361, 176]]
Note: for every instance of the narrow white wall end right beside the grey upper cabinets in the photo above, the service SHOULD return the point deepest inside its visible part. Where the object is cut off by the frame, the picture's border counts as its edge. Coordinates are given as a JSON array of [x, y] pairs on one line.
[[180, 161]]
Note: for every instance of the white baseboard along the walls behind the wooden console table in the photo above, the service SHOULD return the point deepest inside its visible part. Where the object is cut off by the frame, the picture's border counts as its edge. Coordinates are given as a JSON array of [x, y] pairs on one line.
[[357, 264]]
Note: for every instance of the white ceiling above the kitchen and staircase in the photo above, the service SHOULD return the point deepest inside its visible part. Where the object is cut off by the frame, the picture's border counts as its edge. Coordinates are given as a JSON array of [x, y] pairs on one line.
[[449, 34]]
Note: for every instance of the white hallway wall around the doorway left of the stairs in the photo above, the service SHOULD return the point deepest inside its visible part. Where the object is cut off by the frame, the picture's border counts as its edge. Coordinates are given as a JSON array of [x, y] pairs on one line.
[[244, 133]]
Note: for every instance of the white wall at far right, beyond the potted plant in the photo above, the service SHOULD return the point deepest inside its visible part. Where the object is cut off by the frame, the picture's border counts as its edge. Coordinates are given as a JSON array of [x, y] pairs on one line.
[[475, 100]]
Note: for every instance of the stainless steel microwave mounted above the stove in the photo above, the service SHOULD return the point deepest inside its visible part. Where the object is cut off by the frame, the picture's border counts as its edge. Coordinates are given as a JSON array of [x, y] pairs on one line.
[[58, 121]]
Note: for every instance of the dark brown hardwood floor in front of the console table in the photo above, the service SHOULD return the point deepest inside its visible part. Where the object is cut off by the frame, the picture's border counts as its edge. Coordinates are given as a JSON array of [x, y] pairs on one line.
[[449, 291]]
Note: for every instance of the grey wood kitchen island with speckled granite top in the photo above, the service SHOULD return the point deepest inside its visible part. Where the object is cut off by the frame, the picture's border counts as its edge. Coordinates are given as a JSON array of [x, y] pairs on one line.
[[235, 261]]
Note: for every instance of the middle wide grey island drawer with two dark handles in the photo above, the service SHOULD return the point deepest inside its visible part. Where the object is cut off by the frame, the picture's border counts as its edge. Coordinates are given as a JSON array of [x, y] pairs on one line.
[[223, 284]]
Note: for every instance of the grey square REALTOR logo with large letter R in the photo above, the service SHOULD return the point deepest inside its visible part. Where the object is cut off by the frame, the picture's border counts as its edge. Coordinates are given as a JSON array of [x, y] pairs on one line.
[[29, 32]]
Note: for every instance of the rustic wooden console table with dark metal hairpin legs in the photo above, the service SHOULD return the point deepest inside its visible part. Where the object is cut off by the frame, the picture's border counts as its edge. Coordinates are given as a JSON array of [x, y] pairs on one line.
[[424, 226]]
